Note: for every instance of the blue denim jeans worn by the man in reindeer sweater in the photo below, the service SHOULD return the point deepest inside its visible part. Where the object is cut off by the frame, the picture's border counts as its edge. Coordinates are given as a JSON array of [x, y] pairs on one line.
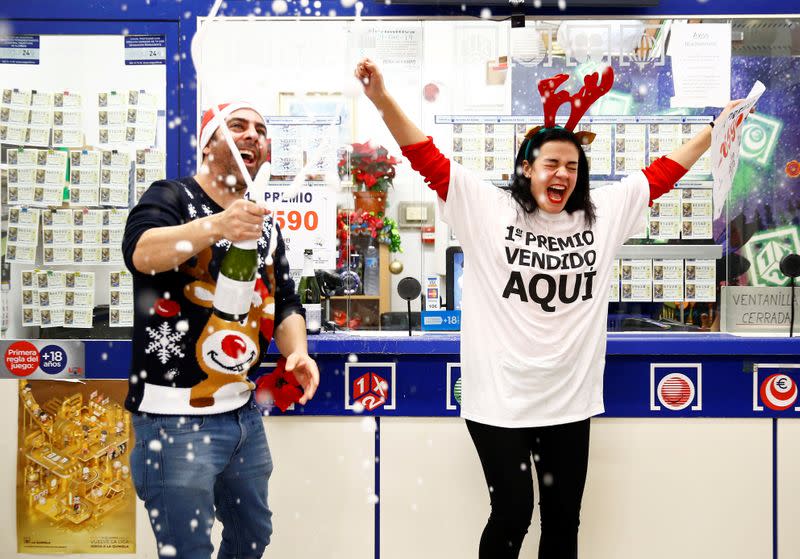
[[185, 468]]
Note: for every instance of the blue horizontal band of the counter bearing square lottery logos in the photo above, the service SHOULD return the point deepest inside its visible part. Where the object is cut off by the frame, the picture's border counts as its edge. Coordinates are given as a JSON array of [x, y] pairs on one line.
[[698, 375]]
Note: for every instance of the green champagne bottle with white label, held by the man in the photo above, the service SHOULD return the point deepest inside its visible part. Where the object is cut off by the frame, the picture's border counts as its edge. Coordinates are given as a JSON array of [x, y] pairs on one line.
[[236, 280]]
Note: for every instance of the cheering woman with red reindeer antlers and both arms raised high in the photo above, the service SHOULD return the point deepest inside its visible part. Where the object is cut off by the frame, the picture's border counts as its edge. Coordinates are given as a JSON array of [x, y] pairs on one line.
[[539, 256]]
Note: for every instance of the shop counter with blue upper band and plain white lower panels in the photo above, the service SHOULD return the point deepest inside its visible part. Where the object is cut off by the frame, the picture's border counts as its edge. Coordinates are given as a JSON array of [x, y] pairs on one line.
[[700, 438]]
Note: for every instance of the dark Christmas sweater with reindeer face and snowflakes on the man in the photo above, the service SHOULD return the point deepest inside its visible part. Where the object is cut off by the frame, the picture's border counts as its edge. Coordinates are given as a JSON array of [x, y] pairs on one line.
[[186, 359]]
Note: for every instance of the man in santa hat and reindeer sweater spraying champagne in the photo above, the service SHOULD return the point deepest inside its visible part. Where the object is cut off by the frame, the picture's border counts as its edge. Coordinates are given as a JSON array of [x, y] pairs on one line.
[[201, 451]]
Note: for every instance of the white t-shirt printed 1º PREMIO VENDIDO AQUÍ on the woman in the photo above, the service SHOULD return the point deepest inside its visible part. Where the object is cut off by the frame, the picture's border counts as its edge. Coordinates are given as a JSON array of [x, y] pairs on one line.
[[535, 300]]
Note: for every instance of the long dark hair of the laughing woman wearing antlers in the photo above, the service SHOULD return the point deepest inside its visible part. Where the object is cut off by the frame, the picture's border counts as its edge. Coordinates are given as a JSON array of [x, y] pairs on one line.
[[520, 186]]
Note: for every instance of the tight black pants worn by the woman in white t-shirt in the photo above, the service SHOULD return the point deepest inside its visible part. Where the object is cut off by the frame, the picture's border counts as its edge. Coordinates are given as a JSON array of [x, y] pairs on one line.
[[560, 455]]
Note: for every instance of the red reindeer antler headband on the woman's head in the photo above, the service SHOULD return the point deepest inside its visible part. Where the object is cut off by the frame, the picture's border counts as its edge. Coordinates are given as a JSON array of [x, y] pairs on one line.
[[579, 103]]
